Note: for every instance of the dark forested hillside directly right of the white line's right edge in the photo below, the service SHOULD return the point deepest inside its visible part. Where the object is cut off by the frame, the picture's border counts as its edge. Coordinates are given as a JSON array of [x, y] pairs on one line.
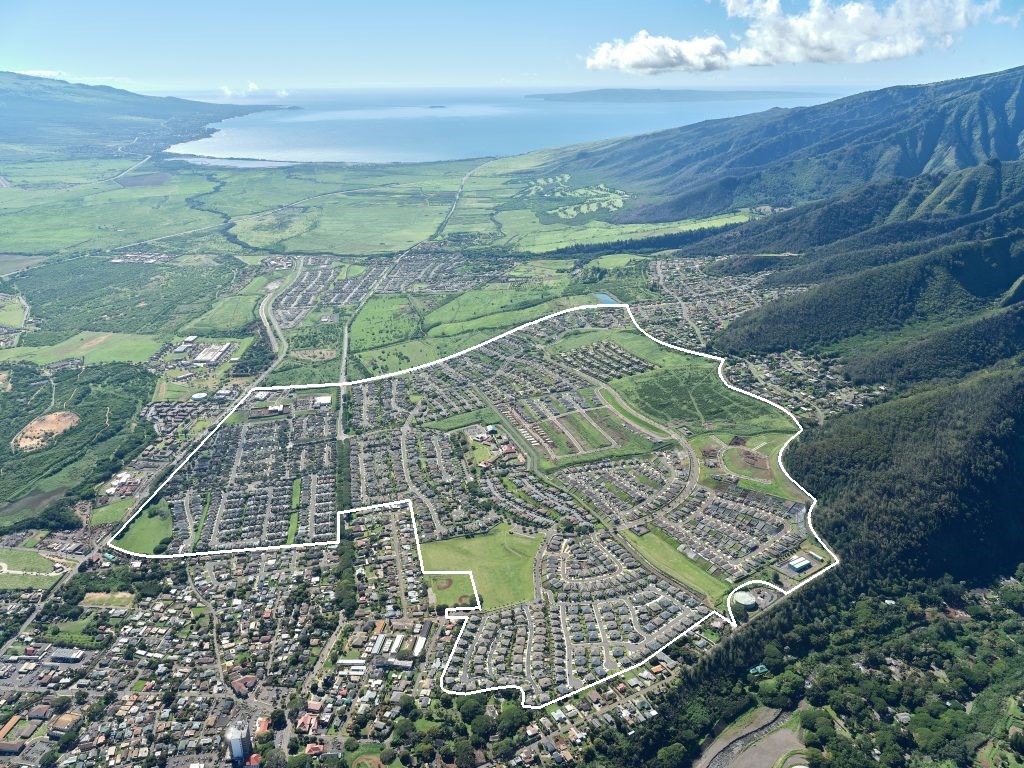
[[927, 484]]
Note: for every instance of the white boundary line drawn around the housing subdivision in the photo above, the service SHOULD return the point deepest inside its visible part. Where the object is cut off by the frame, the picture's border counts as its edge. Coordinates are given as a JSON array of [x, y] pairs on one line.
[[462, 614]]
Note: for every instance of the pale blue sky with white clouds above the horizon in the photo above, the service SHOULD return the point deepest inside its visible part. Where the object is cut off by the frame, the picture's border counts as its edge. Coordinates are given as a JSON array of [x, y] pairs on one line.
[[241, 51]]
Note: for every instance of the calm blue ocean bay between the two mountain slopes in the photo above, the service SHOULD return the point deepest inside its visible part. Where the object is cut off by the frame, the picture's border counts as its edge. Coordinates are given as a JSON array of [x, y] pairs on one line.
[[428, 125]]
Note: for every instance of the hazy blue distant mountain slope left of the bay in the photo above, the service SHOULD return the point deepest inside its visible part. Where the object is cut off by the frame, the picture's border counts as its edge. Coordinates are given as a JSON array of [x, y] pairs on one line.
[[68, 120]]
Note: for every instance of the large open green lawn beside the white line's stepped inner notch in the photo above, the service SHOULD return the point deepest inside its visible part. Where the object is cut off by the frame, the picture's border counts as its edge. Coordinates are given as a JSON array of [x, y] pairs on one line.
[[502, 564]]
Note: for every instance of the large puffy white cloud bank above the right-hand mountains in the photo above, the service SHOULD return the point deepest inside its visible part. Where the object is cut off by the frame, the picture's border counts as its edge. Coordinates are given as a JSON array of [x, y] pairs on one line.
[[859, 31]]
